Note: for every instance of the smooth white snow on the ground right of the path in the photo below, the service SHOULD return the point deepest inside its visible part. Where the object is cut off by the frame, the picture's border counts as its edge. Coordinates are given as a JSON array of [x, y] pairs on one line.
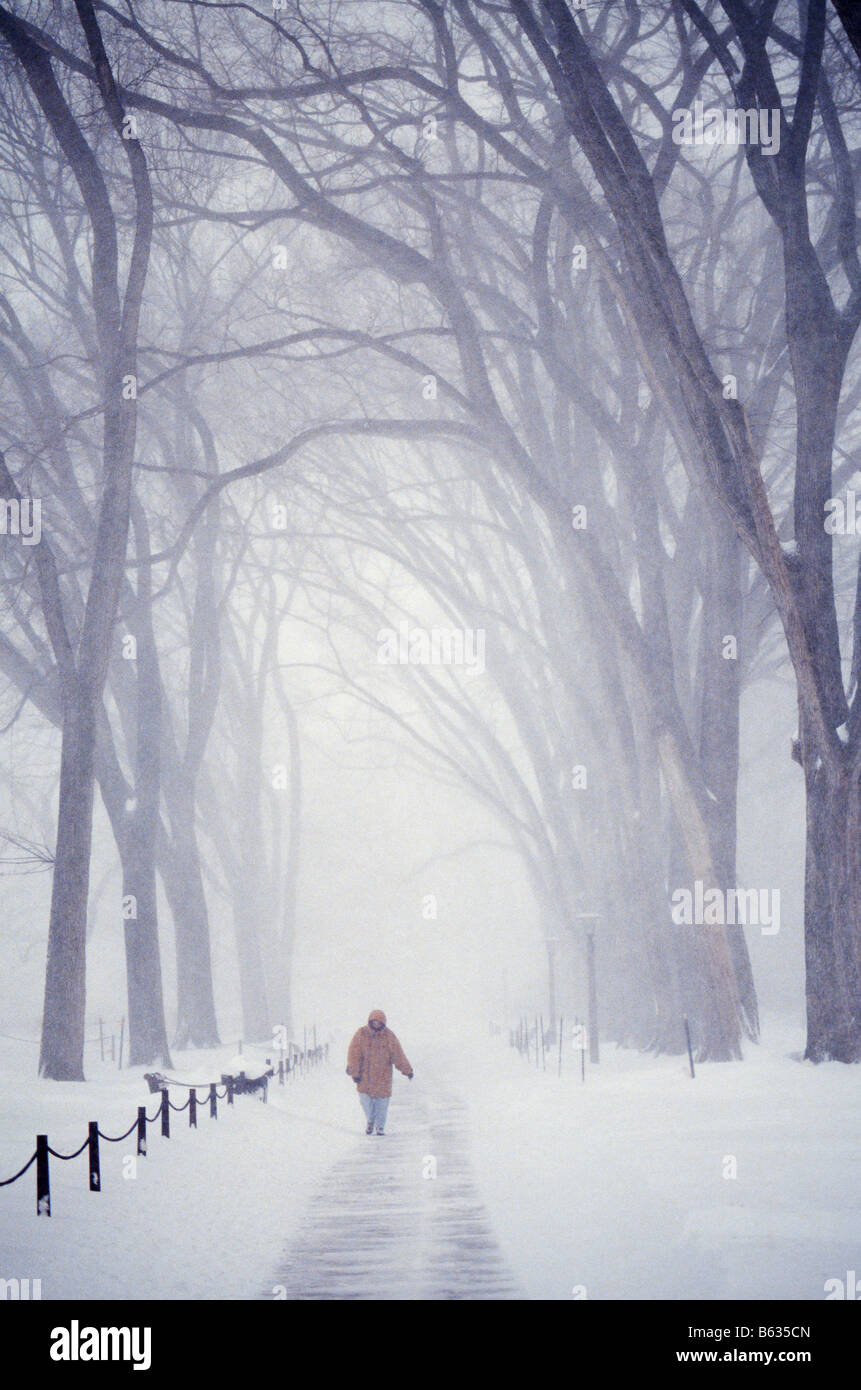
[[617, 1189]]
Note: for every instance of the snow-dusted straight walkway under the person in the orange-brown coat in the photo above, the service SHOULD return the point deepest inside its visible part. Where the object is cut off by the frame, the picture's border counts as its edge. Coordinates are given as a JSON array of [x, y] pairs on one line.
[[400, 1217]]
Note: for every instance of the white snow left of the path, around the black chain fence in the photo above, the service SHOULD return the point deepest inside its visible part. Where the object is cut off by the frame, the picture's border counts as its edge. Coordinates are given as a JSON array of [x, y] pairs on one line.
[[207, 1214]]
